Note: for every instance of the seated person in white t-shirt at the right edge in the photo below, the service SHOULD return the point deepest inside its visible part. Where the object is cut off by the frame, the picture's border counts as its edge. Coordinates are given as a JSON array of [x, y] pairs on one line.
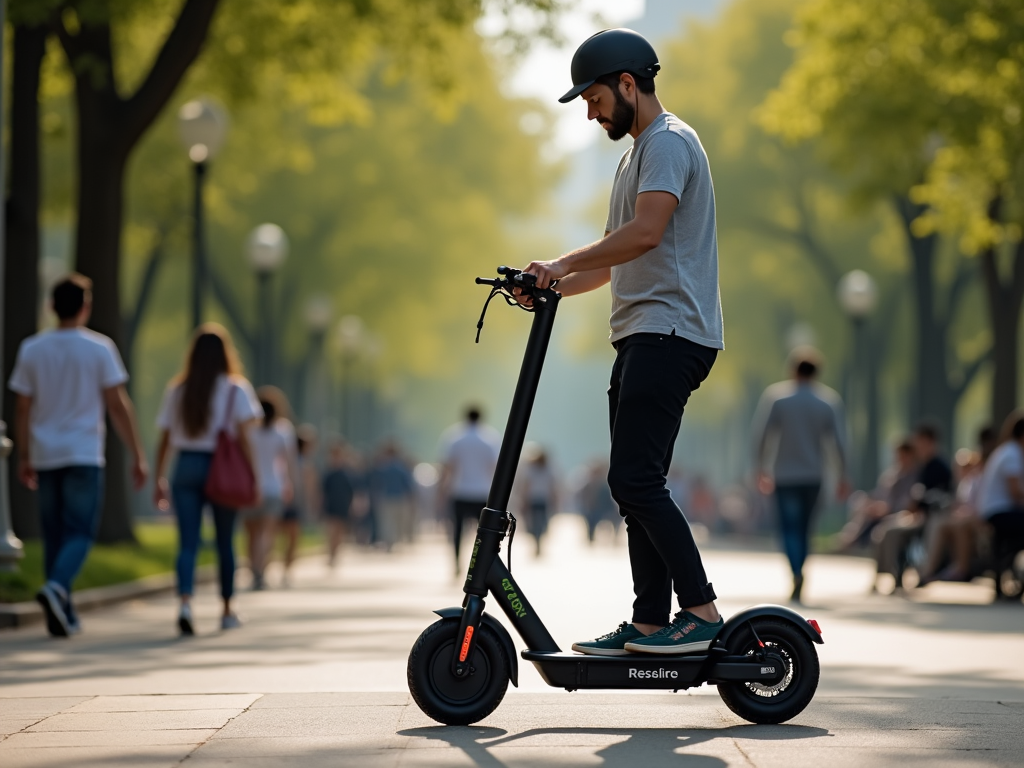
[[1003, 487]]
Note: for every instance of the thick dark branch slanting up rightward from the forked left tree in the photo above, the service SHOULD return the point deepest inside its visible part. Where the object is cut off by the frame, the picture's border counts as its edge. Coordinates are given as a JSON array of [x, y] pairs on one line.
[[178, 54]]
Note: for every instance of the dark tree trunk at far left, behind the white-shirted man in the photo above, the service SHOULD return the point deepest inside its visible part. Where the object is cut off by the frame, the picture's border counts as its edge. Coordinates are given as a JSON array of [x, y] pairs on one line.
[[21, 300]]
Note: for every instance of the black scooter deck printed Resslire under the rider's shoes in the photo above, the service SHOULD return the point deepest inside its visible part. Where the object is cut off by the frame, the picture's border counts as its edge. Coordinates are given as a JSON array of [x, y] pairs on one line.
[[577, 671]]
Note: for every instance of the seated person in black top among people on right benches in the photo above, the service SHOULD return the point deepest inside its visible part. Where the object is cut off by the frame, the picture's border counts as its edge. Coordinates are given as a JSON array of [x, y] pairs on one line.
[[930, 496]]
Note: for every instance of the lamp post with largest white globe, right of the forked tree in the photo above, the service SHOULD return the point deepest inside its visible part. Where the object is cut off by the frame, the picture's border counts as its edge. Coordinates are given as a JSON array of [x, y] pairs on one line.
[[202, 125]]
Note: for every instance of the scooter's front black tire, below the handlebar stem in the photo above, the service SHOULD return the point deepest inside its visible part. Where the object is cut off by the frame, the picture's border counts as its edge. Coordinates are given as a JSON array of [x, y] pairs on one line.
[[441, 695]]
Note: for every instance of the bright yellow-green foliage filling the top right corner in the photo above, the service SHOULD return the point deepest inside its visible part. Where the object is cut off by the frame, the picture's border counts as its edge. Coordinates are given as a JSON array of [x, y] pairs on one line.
[[922, 96]]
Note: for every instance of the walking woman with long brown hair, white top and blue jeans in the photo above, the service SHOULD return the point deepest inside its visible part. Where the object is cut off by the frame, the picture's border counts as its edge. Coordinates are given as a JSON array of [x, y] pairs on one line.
[[208, 396]]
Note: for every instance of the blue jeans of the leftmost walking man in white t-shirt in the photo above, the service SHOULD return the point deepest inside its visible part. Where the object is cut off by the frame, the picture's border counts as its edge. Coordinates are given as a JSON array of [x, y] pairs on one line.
[[70, 499]]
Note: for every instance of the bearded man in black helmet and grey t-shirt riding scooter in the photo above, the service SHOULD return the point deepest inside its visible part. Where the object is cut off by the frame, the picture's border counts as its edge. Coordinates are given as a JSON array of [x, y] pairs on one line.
[[660, 252]]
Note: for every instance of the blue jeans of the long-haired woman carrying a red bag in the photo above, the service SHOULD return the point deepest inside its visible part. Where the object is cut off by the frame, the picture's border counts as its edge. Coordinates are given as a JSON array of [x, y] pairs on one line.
[[189, 497]]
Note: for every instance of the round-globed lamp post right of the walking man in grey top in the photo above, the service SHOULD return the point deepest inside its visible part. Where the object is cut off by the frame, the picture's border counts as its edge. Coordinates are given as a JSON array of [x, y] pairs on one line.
[[859, 295]]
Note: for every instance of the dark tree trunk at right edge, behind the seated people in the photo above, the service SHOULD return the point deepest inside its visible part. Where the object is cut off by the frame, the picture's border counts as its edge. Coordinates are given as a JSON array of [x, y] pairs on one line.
[[1005, 302]]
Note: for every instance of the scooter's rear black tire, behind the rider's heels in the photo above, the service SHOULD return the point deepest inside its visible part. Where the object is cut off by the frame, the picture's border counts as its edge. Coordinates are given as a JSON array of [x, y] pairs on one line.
[[786, 700]]
